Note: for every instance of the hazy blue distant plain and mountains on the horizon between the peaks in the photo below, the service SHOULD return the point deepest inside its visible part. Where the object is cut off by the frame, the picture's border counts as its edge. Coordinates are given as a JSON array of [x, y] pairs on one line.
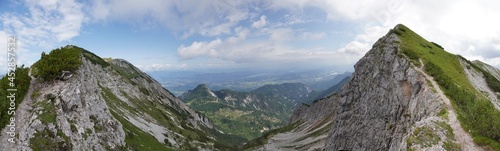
[[179, 82]]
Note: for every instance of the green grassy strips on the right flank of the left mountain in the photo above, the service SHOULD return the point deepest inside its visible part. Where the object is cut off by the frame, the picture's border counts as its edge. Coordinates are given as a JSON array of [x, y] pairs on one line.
[[163, 115]]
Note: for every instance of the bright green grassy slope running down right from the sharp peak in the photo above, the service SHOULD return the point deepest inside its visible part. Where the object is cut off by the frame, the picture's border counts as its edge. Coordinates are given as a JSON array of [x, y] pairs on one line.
[[474, 112]]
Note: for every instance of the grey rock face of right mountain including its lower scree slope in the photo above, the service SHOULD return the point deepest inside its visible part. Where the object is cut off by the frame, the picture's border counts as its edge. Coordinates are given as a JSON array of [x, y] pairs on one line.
[[376, 110]]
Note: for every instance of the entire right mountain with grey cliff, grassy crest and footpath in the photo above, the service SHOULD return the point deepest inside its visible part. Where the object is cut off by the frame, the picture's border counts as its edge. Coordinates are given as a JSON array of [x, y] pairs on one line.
[[397, 99]]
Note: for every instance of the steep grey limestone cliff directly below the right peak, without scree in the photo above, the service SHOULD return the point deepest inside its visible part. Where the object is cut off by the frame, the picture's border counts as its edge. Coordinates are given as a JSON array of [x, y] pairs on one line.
[[385, 97]]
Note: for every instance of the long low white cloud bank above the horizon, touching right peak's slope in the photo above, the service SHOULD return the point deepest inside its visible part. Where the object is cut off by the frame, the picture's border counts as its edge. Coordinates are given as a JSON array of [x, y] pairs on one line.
[[274, 50]]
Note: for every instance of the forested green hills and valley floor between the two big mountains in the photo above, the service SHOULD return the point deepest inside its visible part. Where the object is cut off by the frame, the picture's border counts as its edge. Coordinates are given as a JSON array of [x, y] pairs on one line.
[[248, 114]]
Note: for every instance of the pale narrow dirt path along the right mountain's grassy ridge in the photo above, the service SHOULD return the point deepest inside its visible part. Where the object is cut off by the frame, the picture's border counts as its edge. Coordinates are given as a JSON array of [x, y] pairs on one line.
[[461, 136]]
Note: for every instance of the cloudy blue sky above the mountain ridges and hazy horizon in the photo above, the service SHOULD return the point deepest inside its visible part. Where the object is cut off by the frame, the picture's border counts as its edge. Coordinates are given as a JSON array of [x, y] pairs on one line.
[[233, 35]]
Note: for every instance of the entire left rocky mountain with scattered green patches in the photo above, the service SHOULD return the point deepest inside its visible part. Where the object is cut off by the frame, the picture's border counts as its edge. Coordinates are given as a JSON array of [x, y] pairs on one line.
[[106, 105]]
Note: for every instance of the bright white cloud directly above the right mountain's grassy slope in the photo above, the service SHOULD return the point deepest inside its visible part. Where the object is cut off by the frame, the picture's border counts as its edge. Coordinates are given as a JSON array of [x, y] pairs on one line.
[[462, 27]]
